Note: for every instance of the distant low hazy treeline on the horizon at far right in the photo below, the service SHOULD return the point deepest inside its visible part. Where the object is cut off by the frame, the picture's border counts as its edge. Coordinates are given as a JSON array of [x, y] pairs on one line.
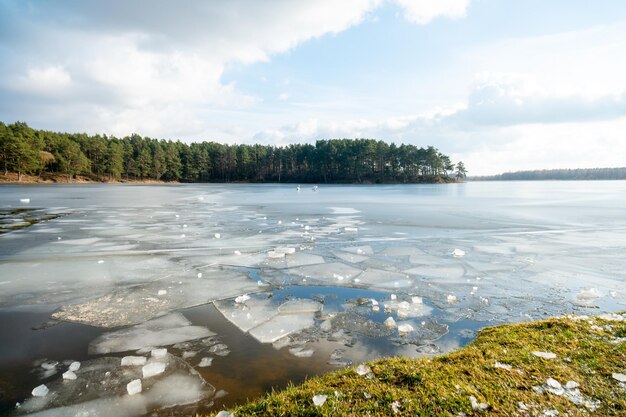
[[559, 174]]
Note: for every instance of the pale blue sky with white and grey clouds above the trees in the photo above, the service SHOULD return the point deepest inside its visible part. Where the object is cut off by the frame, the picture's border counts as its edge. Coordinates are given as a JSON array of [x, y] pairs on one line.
[[502, 85]]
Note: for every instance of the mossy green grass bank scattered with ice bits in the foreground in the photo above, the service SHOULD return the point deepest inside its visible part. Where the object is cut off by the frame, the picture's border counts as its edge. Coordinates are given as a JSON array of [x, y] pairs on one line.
[[564, 366]]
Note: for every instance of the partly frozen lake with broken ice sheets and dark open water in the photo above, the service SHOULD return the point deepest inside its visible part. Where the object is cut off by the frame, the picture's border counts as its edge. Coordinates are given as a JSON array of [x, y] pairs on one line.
[[249, 287]]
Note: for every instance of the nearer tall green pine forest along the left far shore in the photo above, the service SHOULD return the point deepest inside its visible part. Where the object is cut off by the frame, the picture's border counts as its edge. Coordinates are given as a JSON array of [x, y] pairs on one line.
[[24, 150]]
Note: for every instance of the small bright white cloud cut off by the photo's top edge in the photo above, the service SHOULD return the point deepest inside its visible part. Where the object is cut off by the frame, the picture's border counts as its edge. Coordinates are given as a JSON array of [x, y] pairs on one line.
[[423, 11]]
